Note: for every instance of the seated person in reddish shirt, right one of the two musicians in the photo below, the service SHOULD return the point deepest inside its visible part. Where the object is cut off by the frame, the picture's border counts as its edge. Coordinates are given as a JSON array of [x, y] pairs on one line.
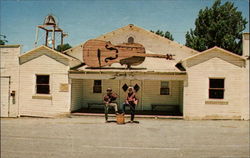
[[130, 101]]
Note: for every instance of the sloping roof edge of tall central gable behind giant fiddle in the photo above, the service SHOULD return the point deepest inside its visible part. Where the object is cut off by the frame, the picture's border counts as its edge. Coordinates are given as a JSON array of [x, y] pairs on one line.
[[133, 27]]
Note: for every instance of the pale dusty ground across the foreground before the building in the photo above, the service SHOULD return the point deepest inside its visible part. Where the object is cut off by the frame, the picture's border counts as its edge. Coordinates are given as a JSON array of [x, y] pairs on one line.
[[91, 137]]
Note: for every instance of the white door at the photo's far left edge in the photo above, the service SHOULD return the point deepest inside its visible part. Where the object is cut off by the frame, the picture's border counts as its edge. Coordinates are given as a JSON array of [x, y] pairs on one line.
[[5, 96]]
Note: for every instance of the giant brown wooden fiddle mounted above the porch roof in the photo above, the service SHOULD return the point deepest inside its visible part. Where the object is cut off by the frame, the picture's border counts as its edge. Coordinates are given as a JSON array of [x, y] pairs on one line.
[[98, 53]]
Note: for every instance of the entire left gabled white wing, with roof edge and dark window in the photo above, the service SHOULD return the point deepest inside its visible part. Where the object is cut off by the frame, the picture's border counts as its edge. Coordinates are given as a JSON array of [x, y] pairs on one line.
[[44, 83]]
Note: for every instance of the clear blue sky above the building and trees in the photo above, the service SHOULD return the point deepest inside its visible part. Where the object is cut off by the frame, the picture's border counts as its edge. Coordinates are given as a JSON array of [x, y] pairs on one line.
[[86, 19]]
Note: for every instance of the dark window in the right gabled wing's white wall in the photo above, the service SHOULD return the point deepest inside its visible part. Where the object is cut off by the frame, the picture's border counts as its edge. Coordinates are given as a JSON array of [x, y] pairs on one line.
[[216, 88]]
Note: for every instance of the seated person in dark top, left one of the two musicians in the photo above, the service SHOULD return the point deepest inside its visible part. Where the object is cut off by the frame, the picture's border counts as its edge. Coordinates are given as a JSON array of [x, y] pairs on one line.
[[109, 99]]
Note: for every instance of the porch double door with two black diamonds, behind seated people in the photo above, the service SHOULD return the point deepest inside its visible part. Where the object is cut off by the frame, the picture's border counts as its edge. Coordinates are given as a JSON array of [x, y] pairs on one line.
[[123, 90]]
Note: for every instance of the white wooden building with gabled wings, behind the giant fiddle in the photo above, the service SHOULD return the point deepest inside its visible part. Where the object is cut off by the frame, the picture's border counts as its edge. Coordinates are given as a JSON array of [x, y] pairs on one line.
[[213, 84]]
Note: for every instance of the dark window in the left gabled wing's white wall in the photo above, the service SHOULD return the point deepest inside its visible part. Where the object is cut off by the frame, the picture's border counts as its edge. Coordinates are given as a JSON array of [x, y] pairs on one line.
[[42, 84]]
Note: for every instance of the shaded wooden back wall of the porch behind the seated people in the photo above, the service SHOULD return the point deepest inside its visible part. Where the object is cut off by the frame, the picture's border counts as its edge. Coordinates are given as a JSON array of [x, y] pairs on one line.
[[149, 92]]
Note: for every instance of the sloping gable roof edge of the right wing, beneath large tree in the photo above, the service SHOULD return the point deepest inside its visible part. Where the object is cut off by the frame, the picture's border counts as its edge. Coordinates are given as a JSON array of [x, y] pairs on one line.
[[211, 53]]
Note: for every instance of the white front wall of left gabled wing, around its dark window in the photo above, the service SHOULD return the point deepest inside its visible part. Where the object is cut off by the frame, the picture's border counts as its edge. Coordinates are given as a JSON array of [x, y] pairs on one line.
[[29, 102]]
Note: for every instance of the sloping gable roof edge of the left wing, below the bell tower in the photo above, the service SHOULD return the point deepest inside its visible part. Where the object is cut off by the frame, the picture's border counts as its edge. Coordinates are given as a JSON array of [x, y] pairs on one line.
[[44, 50]]
